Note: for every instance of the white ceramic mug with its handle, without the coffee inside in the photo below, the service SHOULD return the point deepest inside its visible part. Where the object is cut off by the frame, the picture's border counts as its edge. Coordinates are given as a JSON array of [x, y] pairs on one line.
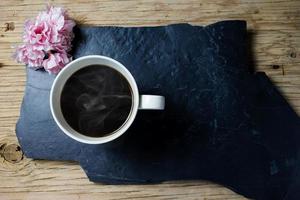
[[148, 102]]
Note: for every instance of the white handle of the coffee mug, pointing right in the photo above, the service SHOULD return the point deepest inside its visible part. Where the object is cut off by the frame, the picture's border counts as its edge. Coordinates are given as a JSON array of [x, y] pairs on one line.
[[152, 102]]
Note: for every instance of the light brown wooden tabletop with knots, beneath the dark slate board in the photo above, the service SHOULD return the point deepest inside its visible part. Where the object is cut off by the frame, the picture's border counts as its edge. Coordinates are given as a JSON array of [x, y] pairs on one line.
[[275, 29]]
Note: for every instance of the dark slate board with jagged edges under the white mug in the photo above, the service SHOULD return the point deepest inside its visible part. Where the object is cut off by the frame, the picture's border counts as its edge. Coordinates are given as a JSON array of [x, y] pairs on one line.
[[221, 122]]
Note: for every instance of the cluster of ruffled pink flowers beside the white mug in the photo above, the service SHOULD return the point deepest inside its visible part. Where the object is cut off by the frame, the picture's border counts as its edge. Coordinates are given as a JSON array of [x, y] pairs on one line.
[[47, 40]]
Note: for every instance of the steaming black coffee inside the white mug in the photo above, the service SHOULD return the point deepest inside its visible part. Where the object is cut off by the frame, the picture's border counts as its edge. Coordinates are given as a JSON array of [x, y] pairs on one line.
[[96, 100]]
